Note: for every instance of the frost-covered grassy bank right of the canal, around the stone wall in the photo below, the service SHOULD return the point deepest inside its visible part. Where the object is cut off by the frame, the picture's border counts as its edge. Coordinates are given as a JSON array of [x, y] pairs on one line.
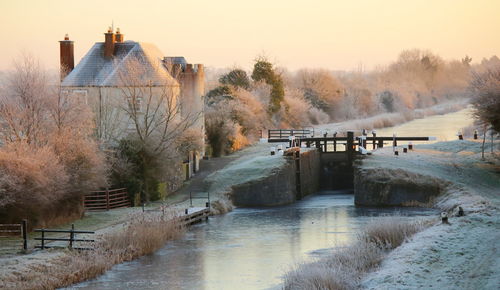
[[463, 254]]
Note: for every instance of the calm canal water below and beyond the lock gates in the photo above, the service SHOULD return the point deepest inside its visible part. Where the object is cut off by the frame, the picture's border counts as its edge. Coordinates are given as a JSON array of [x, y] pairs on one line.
[[254, 248]]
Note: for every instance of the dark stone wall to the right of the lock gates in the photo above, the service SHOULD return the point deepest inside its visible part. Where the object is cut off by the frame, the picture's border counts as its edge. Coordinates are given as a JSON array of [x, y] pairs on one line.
[[391, 187]]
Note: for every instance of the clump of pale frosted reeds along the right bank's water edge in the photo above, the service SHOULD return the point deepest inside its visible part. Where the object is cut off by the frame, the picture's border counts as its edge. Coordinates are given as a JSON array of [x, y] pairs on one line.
[[343, 268]]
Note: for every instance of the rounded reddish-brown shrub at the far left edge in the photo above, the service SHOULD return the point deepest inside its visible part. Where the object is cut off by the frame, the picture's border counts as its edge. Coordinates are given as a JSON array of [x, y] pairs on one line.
[[32, 180]]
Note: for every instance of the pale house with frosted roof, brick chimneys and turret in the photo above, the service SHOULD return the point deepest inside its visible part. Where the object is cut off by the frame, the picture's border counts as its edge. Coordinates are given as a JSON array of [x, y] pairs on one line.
[[97, 80]]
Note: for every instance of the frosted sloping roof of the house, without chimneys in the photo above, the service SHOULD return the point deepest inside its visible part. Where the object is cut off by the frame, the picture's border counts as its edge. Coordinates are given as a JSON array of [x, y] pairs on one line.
[[96, 70]]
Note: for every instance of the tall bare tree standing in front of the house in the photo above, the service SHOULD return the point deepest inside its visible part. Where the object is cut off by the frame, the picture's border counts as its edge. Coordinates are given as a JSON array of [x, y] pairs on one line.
[[158, 126]]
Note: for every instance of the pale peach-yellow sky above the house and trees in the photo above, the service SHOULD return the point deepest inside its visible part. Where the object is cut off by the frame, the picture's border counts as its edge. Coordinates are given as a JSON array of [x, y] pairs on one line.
[[330, 34]]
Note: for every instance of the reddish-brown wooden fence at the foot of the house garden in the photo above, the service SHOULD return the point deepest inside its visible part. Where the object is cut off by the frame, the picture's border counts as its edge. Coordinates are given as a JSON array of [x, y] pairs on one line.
[[106, 199]]
